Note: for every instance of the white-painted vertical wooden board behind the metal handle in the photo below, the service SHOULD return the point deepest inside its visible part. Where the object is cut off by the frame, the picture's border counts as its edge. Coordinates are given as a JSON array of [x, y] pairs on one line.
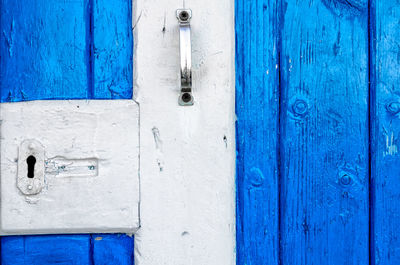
[[187, 153]]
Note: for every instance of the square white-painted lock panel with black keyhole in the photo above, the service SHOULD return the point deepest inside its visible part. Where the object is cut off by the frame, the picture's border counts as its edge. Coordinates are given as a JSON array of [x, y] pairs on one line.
[[91, 162]]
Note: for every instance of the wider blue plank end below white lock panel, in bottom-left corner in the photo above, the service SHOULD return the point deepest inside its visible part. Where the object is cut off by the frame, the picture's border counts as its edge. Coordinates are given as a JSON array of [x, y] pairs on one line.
[[43, 250]]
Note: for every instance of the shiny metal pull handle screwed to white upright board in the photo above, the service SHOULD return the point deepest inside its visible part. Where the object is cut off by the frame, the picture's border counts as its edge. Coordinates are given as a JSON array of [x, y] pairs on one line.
[[184, 16]]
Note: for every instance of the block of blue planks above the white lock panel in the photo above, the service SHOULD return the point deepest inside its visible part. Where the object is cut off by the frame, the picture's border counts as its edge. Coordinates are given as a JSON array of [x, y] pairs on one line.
[[65, 50]]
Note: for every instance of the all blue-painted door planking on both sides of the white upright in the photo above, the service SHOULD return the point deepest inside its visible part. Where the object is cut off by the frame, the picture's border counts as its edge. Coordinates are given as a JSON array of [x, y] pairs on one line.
[[317, 104]]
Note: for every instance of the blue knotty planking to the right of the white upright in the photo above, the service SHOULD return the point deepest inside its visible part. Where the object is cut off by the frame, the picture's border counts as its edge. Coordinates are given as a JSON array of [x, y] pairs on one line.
[[317, 132]]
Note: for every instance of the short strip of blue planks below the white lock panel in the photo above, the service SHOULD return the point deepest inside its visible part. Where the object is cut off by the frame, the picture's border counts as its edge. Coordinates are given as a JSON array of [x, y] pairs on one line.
[[67, 249]]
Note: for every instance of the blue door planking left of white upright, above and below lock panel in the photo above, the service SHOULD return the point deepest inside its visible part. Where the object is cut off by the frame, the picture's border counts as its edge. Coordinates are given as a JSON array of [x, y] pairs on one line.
[[66, 50]]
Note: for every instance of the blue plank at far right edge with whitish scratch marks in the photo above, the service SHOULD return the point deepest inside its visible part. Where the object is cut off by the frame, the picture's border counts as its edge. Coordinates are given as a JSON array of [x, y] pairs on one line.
[[385, 114]]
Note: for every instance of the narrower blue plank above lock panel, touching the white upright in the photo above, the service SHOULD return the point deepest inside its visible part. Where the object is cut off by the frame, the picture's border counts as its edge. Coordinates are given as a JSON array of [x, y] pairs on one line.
[[113, 49]]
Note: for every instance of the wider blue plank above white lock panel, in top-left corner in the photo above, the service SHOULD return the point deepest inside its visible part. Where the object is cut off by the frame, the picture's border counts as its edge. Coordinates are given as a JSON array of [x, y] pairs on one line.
[[43, 50]]
